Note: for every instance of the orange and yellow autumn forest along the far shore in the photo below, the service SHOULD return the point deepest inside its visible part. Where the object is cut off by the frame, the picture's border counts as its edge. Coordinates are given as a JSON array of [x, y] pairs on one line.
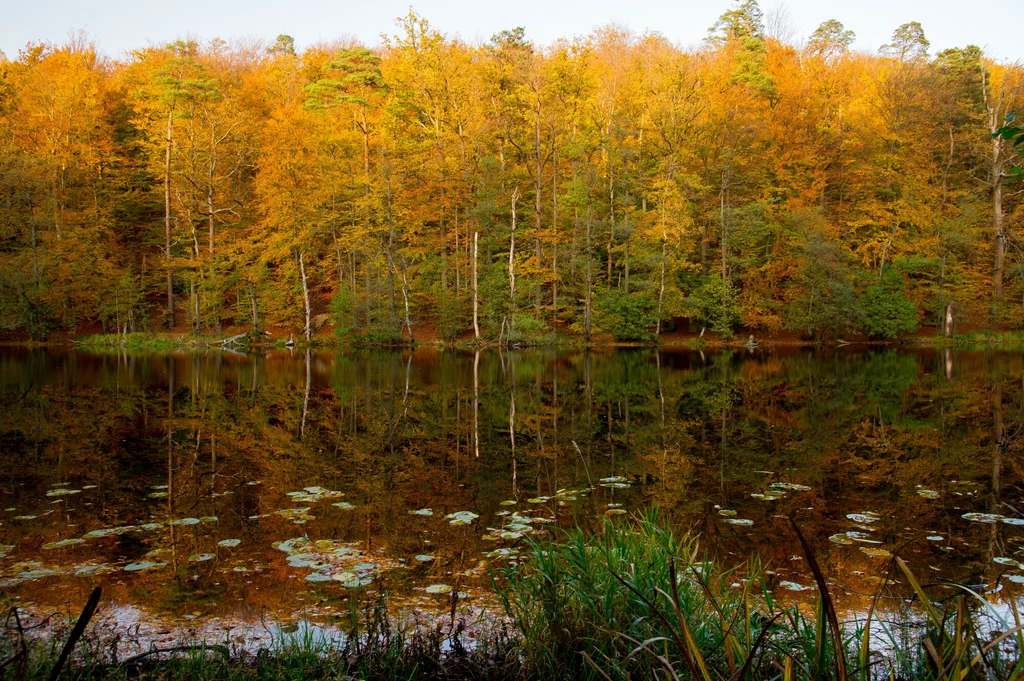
[[606, 187]]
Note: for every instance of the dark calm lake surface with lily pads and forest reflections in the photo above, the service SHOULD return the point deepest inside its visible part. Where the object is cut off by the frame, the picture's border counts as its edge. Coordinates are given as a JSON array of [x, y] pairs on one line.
[[229, 486]]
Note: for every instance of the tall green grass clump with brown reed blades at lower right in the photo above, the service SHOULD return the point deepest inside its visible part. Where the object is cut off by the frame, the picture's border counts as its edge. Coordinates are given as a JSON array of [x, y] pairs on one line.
[[637, 602]]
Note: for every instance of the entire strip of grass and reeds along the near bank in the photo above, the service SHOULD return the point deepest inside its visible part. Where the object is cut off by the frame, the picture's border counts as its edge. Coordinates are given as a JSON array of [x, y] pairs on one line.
[[633, 601]]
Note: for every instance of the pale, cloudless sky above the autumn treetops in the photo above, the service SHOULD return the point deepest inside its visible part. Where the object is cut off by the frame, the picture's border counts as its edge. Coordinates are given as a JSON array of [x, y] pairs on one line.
[[118, 26]]
